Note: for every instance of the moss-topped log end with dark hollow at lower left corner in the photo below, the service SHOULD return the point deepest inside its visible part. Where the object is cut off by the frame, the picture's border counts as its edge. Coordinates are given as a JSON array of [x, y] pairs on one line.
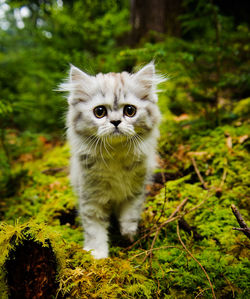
[[29, 263]]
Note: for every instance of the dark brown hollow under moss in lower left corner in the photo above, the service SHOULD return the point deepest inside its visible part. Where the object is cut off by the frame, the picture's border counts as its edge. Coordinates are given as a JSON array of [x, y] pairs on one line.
[[31, 271]]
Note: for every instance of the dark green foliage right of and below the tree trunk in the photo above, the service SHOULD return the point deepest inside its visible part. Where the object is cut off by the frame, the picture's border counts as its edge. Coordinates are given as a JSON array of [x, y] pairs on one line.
[[209, 67]]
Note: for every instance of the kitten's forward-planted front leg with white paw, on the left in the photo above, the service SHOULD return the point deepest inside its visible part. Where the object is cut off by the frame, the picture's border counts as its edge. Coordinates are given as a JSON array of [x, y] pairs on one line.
[[95, 223]]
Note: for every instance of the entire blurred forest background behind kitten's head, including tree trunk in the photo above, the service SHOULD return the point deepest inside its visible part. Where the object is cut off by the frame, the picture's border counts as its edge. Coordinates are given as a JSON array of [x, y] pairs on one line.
[[206, 42]]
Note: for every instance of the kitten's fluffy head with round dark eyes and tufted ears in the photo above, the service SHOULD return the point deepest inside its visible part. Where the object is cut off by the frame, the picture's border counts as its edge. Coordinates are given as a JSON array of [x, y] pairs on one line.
[[113, 105]]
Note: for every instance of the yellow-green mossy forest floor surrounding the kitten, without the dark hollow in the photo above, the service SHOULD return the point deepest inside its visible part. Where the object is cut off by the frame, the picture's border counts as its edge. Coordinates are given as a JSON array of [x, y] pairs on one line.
[[43, 209]]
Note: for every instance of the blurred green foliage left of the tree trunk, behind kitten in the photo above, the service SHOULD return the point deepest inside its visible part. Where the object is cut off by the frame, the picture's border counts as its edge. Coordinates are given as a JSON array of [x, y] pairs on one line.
[[35, 59]]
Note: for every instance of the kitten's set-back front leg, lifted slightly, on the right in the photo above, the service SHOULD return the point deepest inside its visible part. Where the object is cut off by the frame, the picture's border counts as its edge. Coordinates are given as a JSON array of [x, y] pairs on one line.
[[129, 216]]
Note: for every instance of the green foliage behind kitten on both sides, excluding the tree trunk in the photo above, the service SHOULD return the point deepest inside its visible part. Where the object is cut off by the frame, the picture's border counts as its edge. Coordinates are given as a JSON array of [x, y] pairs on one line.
[[210, 66]]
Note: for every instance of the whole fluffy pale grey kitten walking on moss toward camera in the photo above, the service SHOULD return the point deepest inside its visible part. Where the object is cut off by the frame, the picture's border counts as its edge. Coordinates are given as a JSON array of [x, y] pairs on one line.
[[112, 130]]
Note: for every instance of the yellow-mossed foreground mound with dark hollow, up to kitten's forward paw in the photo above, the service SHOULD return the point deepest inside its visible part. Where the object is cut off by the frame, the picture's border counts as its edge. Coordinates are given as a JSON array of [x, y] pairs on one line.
[[33, 265]]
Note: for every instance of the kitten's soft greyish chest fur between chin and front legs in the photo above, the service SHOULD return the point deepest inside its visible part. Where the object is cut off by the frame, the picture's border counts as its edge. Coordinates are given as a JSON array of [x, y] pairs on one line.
[[113, 179]]
